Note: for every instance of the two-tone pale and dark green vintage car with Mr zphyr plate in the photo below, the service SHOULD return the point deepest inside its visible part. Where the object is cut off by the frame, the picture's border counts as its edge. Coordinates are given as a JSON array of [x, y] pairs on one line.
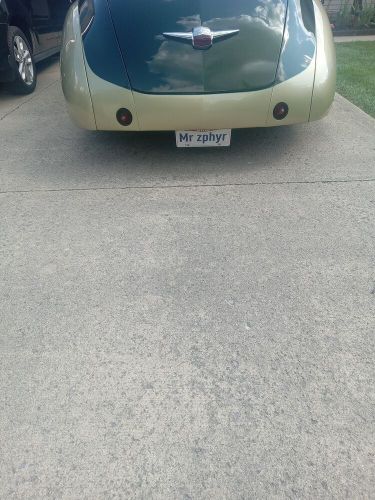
[[198, 67]]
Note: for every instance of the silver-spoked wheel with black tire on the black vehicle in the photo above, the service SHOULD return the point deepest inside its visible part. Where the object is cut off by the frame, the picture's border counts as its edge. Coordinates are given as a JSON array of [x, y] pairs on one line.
[[22, 61]]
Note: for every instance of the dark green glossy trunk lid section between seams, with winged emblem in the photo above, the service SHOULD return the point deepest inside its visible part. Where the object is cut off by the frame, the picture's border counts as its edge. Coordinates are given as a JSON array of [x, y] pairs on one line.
[[159, 62]]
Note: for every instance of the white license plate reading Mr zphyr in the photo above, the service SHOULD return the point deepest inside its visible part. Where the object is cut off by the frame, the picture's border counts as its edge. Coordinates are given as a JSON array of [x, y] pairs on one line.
[[203, 138]]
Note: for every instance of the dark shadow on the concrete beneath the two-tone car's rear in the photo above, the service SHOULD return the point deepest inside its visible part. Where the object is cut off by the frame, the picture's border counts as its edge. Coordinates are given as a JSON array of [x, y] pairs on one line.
[[251, 149]]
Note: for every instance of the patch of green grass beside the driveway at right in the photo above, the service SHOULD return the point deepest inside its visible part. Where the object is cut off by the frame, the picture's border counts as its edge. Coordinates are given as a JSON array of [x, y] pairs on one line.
[[356, 73]]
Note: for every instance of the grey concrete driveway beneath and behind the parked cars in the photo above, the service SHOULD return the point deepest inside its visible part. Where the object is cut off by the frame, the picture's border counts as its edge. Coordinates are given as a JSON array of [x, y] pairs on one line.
[[190, 324]]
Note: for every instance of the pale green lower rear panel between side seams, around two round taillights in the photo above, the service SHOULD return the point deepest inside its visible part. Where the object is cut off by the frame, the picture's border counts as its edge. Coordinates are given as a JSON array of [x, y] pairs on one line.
[[208, 111]]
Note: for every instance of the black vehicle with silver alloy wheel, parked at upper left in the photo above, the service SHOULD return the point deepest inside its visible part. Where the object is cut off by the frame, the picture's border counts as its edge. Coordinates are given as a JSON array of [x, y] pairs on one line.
[[30, 30]]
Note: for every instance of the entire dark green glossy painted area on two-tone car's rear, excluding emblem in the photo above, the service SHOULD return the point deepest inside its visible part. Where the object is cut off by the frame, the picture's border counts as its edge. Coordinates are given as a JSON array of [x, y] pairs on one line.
[[147, 62]]
